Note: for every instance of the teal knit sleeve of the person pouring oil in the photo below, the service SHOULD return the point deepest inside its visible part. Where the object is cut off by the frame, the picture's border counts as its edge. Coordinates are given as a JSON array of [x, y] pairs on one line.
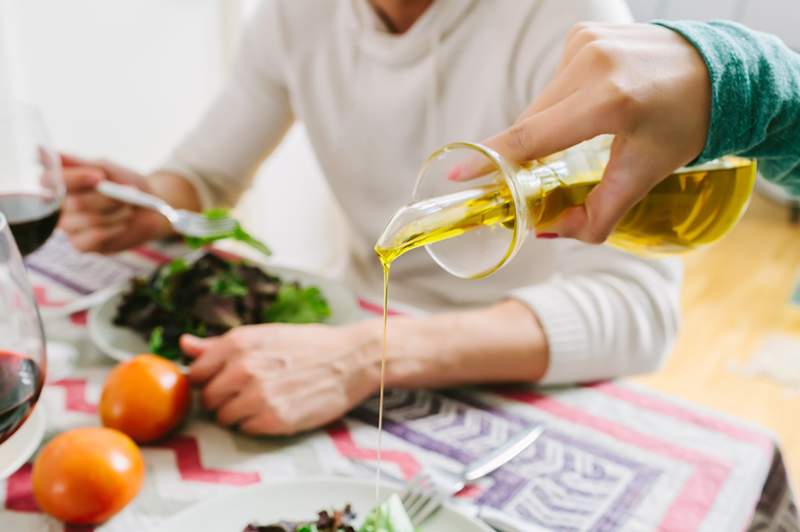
[[755, 95]]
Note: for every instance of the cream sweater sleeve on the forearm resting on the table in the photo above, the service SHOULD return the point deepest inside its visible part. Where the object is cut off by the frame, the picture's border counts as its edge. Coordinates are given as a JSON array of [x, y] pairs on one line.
[[606, 313]]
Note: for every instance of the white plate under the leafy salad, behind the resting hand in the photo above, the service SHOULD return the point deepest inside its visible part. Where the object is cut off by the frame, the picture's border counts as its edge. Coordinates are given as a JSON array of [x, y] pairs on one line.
[[122, 343]]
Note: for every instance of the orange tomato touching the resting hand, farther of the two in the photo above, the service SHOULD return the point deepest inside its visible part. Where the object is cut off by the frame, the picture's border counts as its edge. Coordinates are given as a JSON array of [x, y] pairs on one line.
[[145, 397]]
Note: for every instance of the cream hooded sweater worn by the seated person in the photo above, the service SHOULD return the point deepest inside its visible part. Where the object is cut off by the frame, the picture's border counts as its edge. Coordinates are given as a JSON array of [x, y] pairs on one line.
[[376, 104]]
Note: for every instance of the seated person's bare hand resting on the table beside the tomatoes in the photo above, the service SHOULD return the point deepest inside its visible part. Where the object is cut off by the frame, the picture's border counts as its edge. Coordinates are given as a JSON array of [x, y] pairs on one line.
[[278, 379]]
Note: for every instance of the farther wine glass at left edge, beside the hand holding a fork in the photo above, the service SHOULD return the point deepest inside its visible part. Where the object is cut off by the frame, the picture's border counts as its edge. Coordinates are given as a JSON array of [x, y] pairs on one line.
[[31, 184]]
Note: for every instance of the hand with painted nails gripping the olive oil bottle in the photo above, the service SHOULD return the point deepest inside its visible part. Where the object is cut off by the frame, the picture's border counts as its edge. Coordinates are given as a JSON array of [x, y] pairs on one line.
[[643, 83]]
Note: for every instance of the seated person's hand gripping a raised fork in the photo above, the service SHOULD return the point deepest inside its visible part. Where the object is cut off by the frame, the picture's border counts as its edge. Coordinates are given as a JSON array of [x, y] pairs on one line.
[[94, 222]]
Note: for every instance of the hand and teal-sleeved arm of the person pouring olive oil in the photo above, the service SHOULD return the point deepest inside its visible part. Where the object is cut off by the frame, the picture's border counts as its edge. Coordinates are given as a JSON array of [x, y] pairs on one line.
[[672, 93]]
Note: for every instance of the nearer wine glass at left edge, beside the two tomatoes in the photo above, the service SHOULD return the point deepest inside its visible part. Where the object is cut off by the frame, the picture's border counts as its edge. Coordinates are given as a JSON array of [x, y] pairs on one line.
[[22, 359]]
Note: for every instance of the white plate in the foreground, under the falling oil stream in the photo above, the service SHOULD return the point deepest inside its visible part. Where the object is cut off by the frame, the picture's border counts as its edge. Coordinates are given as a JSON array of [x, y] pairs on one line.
[[299, 500]]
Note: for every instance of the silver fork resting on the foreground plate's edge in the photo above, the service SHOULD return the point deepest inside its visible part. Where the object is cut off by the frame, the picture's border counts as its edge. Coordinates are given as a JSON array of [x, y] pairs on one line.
[[425, 493]]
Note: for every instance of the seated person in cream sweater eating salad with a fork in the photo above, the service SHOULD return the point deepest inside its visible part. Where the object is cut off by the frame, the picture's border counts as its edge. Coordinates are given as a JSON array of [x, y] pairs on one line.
[[379, 85]]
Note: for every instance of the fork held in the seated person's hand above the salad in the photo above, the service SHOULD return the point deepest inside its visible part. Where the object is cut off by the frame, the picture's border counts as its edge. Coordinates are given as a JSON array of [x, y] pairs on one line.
[[184, 222]]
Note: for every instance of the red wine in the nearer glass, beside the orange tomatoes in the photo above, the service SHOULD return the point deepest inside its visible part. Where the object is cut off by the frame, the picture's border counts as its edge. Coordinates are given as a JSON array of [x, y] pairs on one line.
[[20, 385]]
